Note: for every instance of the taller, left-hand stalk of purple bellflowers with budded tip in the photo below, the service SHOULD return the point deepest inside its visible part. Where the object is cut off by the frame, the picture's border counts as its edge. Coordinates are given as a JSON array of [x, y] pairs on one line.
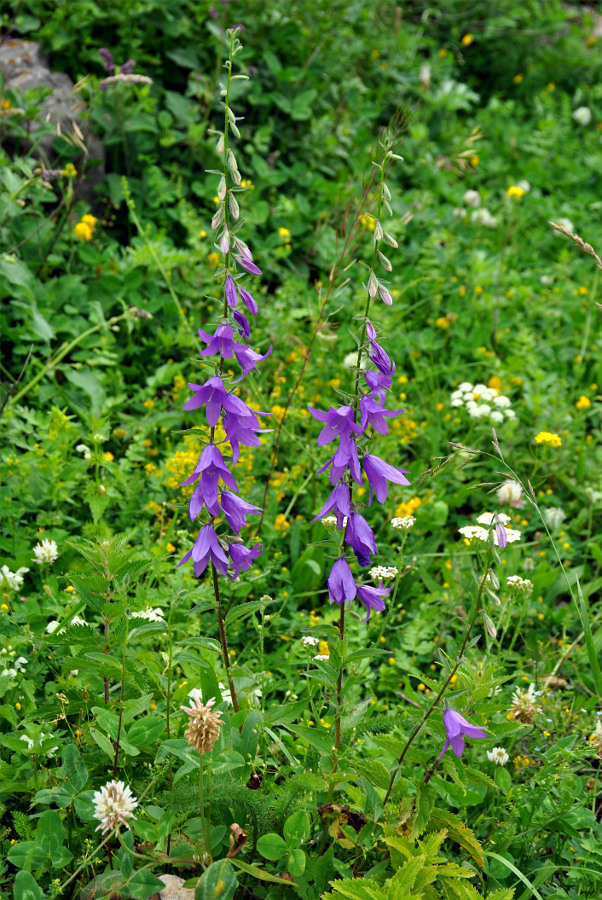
[[215, 491]]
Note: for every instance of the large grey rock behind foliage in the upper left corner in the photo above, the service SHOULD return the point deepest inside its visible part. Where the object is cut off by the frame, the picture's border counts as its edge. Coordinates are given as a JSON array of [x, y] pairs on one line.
[[24, 66]]
